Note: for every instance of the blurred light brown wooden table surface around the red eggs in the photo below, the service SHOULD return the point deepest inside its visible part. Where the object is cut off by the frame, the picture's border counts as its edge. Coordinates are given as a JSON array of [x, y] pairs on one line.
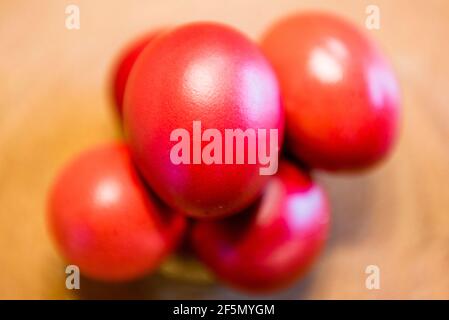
[[54, 102]]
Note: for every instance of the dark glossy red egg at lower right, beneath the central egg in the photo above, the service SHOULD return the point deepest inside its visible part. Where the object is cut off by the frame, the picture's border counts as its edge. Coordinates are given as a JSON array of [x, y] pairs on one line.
[[271, 244]]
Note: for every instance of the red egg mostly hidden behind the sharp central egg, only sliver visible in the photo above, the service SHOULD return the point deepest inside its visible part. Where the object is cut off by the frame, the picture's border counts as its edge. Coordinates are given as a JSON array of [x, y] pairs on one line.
[[124, 66]]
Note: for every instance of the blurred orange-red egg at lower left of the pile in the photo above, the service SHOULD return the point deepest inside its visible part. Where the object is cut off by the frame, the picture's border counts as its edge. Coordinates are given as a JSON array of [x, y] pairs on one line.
[[104, 221]]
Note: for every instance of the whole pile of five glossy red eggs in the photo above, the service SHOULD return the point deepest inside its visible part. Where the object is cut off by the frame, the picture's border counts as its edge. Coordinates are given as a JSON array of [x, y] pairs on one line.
[[117, 211]]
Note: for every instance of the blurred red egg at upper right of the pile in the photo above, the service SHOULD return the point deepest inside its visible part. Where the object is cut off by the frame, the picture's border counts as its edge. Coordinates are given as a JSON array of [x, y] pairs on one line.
[[341, 96]]
